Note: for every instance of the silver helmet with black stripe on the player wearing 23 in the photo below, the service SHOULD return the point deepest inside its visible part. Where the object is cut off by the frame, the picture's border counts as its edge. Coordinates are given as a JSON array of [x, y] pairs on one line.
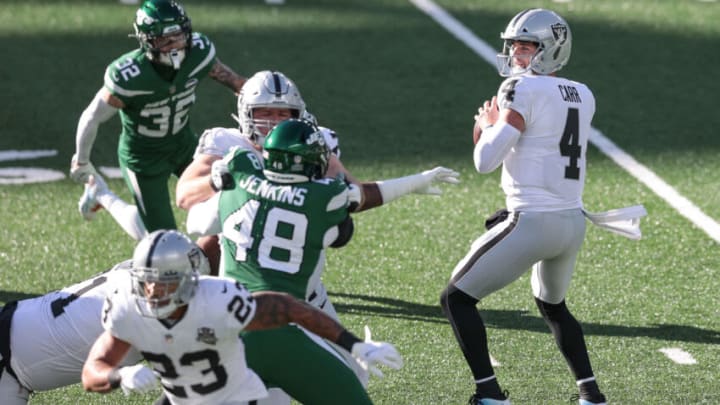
[[171, 263]]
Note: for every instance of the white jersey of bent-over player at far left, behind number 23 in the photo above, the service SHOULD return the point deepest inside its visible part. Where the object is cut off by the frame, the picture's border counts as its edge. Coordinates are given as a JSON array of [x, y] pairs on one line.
[[51, 335]]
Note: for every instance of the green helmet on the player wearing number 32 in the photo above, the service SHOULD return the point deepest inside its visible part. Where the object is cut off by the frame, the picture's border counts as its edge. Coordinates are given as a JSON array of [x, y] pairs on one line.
[[156, 19]]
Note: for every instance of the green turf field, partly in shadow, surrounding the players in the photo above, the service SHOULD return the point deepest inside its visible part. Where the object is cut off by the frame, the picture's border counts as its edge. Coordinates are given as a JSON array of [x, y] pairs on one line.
[[401, 92]]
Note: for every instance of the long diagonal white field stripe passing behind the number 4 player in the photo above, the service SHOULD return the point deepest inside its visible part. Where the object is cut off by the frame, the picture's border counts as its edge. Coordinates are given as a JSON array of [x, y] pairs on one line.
[[684, 206]]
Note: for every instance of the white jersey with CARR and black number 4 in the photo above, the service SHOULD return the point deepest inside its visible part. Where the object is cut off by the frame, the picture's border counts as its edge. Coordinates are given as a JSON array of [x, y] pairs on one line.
[[545, 169]]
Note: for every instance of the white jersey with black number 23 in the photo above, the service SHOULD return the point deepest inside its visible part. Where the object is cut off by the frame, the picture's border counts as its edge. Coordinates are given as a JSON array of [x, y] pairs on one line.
[[200, 358]]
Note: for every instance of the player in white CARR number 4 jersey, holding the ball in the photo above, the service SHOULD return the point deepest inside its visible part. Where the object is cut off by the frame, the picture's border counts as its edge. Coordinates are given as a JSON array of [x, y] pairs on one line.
[[538, 127]]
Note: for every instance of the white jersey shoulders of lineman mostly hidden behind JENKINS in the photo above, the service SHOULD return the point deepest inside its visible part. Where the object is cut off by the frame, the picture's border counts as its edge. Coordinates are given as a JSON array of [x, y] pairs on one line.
[[219, 141]]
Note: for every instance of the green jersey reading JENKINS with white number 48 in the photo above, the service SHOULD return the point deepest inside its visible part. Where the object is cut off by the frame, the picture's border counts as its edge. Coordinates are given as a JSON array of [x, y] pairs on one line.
[[274, 235]]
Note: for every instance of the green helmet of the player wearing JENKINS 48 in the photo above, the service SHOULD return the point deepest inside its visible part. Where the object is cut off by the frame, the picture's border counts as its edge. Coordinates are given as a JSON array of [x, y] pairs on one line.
[[295, 152]]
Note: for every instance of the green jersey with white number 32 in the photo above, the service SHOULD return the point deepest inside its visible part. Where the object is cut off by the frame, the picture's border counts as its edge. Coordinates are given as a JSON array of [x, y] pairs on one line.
[[156, 120]]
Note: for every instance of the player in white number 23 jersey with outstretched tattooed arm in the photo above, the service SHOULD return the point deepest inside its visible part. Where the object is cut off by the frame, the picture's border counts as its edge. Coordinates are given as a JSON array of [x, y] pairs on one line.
[[187, 327]]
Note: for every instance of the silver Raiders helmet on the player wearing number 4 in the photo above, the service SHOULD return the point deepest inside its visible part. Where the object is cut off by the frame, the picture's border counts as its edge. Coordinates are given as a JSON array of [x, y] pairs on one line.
[[548, 30]]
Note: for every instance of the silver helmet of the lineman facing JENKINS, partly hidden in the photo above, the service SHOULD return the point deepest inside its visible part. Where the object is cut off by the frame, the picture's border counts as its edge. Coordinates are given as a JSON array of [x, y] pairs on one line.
[[270, 89]]
